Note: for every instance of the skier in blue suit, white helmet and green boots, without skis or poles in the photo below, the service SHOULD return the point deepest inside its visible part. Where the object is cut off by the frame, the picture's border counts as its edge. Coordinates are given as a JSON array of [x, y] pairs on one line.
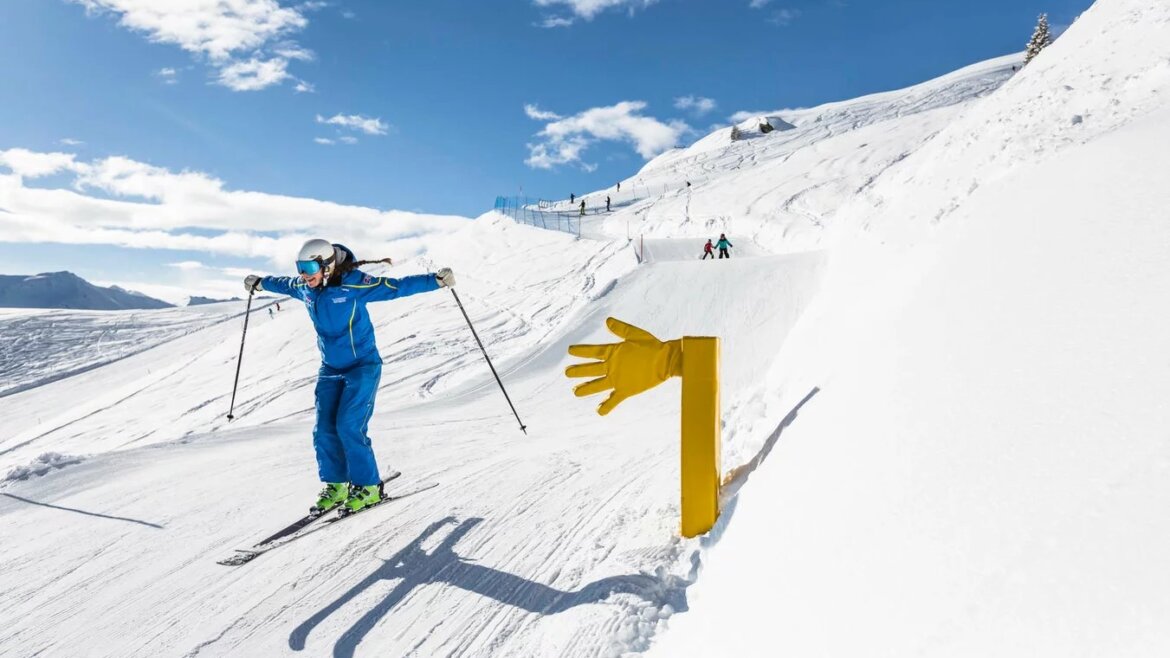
[[336, 296]]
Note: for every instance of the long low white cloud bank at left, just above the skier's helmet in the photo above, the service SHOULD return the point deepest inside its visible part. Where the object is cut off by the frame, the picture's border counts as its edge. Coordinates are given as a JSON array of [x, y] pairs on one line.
[[146, 207]]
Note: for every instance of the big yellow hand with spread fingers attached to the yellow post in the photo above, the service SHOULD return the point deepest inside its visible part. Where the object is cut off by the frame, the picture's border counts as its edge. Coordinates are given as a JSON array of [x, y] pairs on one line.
[[637, 365]]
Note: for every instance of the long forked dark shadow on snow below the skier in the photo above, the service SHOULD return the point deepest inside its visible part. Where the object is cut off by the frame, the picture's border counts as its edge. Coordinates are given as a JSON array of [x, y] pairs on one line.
[[416, 567]]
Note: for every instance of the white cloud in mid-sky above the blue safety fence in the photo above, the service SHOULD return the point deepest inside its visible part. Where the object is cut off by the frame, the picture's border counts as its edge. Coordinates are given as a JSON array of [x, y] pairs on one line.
[[566, 139]]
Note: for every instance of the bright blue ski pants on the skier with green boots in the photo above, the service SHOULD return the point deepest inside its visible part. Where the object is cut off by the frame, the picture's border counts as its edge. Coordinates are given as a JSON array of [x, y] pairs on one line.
[[345, 405]]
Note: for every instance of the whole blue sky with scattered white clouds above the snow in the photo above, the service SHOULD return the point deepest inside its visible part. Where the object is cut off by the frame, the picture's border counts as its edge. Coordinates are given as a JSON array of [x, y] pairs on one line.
[[402, 106]]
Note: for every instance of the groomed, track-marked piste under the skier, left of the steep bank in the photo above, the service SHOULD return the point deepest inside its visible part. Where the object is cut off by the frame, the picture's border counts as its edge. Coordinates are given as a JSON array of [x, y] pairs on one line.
[[559, 543]]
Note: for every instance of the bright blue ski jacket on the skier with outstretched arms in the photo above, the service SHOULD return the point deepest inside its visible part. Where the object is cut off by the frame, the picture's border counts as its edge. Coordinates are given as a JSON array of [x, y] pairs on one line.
[[339, 313]]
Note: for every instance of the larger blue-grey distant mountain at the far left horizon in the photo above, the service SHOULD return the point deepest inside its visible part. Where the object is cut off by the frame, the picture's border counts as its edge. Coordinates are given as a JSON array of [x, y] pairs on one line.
[[65, 290]]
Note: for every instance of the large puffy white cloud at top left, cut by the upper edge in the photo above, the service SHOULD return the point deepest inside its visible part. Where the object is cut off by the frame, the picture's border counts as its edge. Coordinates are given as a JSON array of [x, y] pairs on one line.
[[222, 31]]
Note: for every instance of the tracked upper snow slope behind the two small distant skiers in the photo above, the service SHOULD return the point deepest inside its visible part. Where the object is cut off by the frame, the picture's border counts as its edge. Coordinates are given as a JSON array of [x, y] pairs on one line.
[[786, 189]]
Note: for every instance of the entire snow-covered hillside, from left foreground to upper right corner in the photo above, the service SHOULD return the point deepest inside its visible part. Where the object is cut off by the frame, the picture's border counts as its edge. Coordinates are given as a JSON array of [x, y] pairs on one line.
[[942, 389]]
